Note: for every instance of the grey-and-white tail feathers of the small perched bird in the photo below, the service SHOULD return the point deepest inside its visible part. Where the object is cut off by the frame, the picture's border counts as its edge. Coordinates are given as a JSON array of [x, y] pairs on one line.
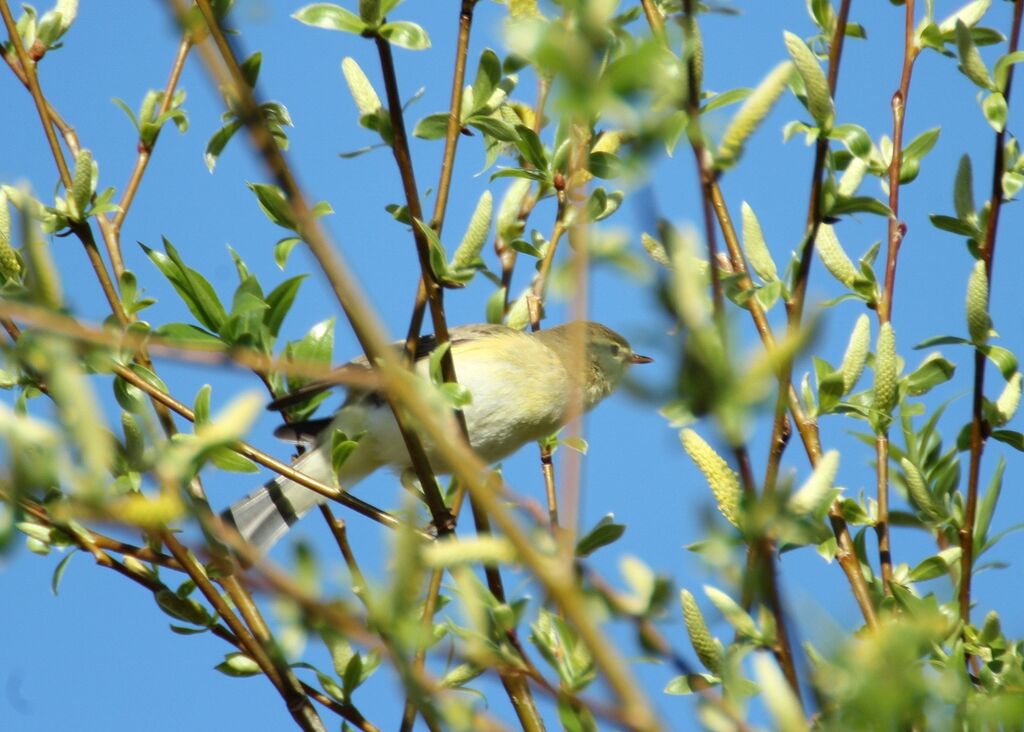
[[266, 515]]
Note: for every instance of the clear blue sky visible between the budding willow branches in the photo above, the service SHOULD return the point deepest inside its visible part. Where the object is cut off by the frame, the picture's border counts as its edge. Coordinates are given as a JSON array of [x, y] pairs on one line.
[[101, 657]]
